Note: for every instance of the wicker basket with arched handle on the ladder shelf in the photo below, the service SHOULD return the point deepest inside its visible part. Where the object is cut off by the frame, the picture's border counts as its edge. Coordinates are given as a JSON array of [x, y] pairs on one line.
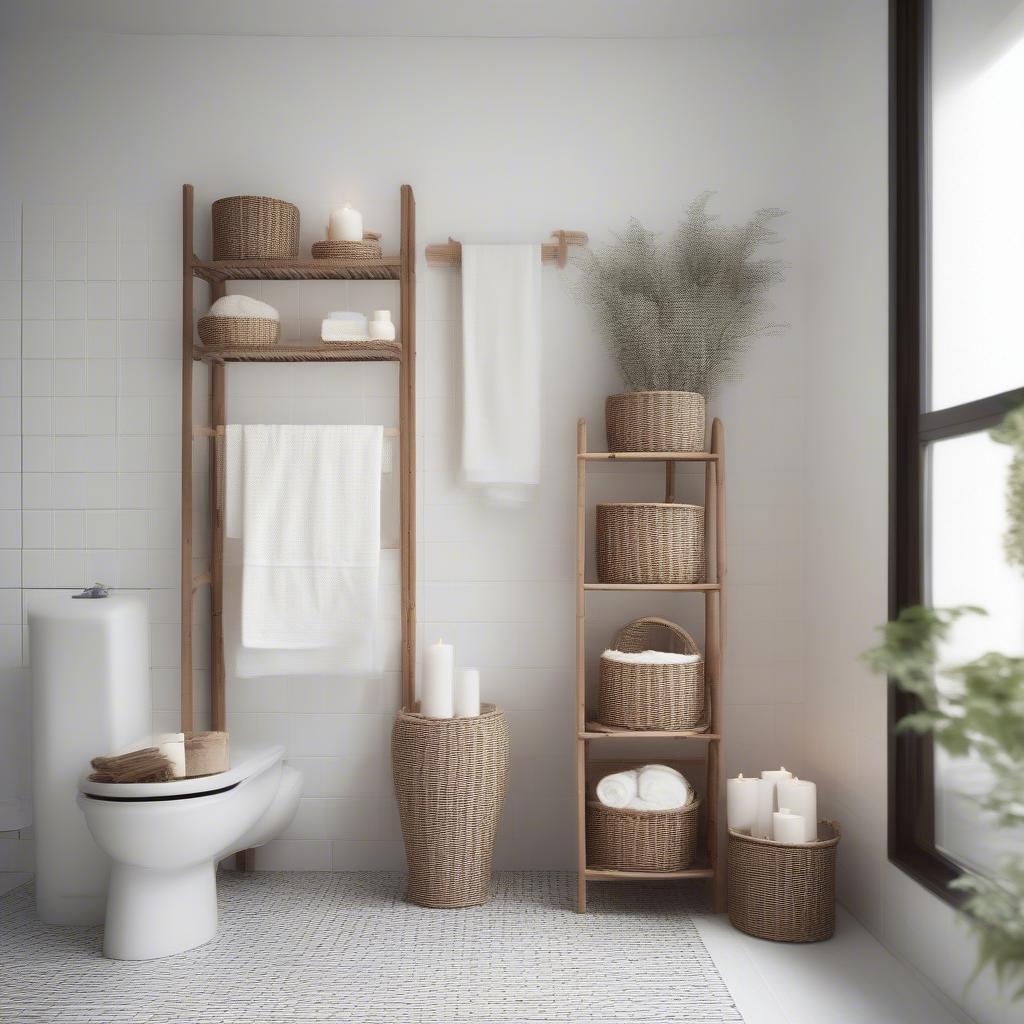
[[634, 696]]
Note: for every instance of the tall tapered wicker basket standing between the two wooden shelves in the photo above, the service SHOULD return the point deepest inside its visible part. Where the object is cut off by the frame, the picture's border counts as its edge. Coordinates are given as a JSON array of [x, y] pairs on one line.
[[450, 779]]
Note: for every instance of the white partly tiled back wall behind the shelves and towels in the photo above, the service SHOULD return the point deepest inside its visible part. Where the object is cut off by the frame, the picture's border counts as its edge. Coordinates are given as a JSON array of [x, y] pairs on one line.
[[502, 141]]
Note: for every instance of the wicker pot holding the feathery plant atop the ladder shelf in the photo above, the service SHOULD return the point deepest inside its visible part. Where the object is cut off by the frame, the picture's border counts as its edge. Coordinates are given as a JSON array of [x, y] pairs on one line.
[[656, 421]]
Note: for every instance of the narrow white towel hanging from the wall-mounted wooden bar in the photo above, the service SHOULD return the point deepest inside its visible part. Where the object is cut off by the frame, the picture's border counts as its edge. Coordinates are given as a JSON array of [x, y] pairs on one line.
[[501, 339]]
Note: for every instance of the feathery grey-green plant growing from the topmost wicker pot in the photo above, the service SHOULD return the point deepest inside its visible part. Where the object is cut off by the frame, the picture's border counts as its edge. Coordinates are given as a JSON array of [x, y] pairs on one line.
[[679, 318]]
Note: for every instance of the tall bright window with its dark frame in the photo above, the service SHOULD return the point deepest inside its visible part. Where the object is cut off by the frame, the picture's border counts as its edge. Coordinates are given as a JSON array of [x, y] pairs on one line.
[[957, 89]]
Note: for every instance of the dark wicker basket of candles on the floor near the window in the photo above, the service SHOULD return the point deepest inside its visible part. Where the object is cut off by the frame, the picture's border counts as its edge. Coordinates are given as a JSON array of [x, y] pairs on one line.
[[782, 892]]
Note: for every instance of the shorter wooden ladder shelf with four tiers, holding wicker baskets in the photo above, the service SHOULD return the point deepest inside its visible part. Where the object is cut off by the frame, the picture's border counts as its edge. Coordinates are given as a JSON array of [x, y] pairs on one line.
[[710, 863]]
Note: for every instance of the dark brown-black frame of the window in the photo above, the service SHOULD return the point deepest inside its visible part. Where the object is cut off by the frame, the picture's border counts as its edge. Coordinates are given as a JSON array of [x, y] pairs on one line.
[[912, 780]]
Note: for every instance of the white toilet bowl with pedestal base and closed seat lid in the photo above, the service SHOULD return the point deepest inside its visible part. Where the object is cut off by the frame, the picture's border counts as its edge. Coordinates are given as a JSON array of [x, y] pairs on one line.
[[165, 839]]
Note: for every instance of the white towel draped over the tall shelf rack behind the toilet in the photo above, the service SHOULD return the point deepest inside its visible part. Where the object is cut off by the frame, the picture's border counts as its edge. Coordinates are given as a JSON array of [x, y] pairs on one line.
[[311, 530]]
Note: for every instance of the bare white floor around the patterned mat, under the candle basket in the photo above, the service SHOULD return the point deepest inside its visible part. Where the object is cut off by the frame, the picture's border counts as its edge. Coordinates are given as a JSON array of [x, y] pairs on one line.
[[850, 980]]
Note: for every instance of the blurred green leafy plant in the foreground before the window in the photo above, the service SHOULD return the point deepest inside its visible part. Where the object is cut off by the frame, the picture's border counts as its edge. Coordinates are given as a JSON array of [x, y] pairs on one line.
[[979, 711]]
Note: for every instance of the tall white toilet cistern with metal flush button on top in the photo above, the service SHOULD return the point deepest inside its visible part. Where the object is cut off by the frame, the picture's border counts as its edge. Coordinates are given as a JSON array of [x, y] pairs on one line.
[[90, 664]]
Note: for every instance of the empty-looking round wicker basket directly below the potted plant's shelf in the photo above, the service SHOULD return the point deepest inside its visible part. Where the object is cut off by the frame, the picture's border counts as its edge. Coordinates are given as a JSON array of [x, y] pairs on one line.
[[651, 543]]
